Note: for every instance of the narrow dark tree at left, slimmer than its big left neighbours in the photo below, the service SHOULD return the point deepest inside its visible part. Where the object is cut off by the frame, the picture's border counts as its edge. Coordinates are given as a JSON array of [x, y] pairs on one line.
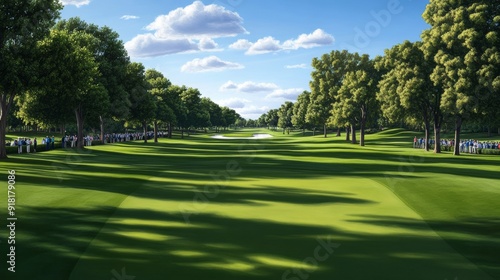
[[143, 107]]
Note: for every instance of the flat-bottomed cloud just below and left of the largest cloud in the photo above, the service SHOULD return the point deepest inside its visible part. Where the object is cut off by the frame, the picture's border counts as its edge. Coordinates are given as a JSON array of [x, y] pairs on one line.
[[147, 45]]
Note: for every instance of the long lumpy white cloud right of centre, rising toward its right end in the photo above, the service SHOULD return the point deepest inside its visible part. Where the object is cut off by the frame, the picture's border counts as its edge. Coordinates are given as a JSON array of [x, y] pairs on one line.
[[270, 44]]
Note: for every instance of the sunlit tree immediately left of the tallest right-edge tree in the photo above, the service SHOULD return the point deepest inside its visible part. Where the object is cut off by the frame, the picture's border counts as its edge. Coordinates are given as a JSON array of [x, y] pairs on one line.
[[406, 89]]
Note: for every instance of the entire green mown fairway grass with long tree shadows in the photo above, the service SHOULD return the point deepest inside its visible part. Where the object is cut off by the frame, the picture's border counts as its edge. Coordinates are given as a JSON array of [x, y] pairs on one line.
[[203, 208]]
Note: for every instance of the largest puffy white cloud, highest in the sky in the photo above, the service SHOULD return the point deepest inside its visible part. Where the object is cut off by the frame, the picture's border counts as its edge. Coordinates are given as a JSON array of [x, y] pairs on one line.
[[197, 21]]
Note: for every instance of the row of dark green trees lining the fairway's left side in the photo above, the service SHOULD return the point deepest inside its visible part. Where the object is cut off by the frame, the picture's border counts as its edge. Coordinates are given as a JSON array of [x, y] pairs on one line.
[[55, 73]]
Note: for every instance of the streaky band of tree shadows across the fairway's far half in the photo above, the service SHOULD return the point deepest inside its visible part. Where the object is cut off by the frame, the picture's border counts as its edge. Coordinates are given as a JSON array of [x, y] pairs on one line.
[[107, 170]]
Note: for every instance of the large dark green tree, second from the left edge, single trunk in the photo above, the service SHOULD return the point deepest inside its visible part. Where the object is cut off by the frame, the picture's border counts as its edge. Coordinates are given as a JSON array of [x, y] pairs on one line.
[[71, 81]]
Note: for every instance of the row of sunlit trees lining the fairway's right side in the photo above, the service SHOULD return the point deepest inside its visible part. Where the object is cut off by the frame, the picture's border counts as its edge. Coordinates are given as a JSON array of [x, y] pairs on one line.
[[452, 75]]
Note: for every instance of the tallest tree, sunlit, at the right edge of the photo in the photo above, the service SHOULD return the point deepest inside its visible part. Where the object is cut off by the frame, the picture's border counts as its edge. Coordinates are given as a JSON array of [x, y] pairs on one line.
[[463, 41]]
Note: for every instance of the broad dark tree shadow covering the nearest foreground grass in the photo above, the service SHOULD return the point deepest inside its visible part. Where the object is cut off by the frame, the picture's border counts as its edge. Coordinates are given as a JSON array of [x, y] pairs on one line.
[[59, 242]]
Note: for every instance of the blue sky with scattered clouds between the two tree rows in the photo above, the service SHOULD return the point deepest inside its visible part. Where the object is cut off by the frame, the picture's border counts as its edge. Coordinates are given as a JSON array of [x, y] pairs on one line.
[[249, 55]]
